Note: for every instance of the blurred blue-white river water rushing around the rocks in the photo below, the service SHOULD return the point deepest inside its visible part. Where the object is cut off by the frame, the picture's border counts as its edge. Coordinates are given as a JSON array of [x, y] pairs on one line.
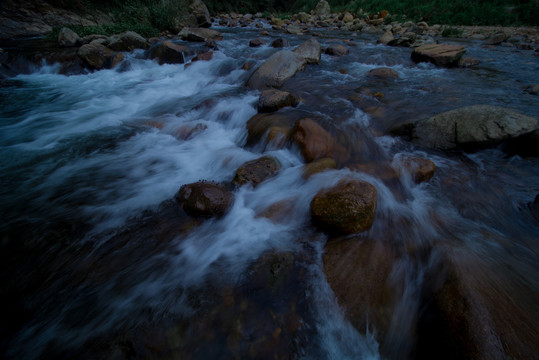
[[98, 261]]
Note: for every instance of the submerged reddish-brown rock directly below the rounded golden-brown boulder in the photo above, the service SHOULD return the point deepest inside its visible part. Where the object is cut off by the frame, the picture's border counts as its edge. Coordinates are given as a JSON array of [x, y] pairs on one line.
[[358, 271]]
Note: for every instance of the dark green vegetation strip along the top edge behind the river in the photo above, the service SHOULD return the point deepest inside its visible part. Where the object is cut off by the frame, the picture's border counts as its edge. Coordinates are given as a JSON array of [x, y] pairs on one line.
[[450, 12]]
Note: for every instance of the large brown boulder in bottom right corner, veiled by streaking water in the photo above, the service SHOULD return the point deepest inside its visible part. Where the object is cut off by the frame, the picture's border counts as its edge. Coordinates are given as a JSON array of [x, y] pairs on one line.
[[470, 311]]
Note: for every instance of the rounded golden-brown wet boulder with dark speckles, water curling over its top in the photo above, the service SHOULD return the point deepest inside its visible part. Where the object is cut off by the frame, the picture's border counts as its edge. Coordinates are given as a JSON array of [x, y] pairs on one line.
[[347, 208]]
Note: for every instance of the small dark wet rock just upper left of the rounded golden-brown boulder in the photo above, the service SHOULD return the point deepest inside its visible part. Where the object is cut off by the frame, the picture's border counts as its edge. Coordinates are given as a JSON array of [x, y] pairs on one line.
[[256, 171]]
